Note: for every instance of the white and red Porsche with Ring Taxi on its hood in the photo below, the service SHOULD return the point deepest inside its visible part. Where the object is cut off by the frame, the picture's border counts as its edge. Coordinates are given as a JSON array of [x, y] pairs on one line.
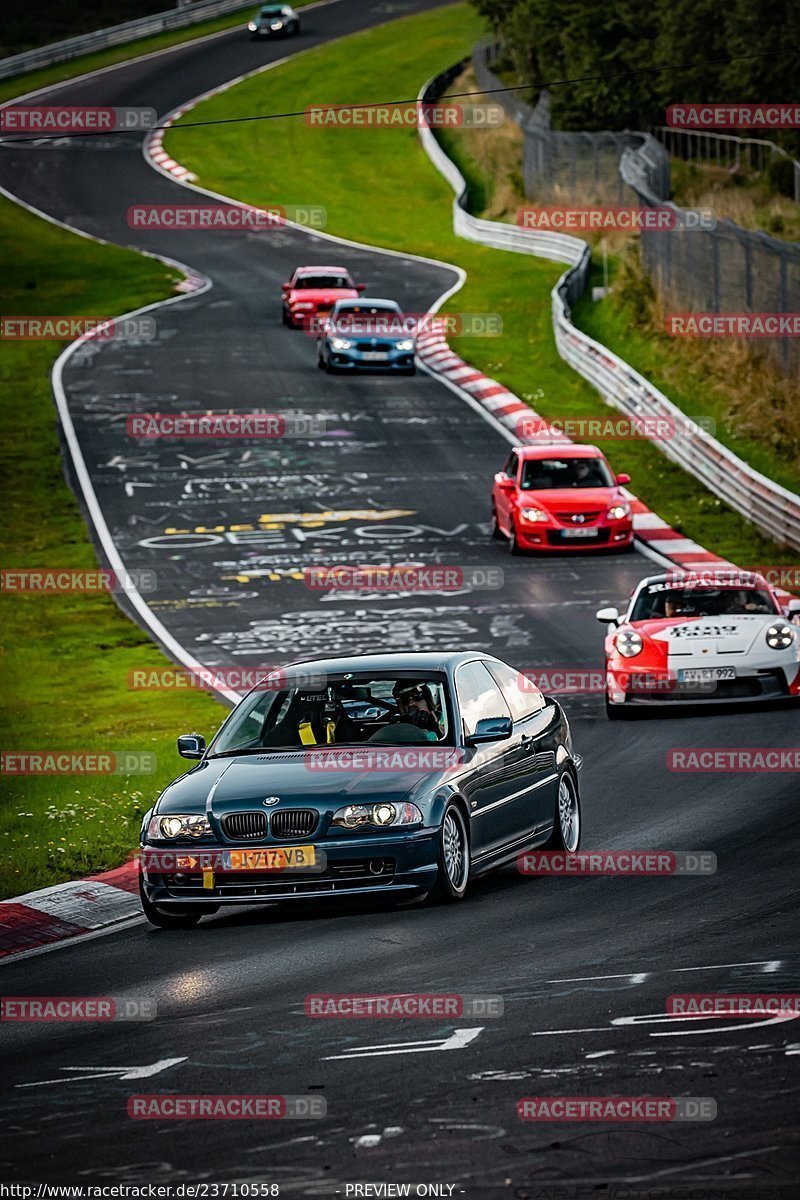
[[701, 639]]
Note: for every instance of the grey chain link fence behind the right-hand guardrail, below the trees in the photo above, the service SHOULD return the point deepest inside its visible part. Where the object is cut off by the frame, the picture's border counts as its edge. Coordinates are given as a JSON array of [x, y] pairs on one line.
[[695, 271]]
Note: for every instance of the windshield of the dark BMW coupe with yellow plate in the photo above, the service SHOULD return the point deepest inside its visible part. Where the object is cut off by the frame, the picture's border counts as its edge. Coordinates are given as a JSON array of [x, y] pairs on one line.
[[347, 710]]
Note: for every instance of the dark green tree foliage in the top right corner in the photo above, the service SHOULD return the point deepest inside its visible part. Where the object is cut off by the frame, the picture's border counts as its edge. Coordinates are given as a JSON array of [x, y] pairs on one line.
[[616, 55]]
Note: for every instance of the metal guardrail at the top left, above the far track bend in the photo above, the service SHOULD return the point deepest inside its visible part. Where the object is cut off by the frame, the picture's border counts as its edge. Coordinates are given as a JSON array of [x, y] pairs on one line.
[[117, 35]]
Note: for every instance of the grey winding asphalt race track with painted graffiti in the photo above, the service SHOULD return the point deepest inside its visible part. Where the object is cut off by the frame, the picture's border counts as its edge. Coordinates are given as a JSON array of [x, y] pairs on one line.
[[585, 967]]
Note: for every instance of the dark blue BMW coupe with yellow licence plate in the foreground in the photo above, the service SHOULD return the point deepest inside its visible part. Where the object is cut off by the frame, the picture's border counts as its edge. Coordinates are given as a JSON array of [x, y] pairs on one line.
[[401, 775]]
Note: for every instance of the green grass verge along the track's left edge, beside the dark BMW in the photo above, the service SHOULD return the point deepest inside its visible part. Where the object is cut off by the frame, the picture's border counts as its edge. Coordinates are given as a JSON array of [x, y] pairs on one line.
[[67, 657]]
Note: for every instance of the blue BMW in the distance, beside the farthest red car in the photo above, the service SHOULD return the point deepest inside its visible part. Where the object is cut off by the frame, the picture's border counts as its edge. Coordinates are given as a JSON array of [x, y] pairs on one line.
[[368, 335]]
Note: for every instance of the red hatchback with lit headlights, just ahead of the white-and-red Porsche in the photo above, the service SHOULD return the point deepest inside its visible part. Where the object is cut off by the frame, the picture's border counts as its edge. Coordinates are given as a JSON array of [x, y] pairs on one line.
[[561, 497]]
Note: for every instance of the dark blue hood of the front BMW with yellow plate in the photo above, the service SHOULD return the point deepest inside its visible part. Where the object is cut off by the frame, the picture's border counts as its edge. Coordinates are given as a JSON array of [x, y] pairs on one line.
[[303, 779]]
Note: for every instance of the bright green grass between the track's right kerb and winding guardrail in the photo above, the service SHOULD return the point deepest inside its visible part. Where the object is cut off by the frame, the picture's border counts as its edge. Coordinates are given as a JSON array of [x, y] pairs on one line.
[[381, 189]]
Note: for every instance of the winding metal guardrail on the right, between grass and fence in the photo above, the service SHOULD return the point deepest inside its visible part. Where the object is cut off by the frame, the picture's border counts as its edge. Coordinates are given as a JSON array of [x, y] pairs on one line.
[[771, 508]]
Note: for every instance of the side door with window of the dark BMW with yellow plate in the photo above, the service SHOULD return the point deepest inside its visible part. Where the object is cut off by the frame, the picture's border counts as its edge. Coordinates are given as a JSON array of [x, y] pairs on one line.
[[497, 764]]
